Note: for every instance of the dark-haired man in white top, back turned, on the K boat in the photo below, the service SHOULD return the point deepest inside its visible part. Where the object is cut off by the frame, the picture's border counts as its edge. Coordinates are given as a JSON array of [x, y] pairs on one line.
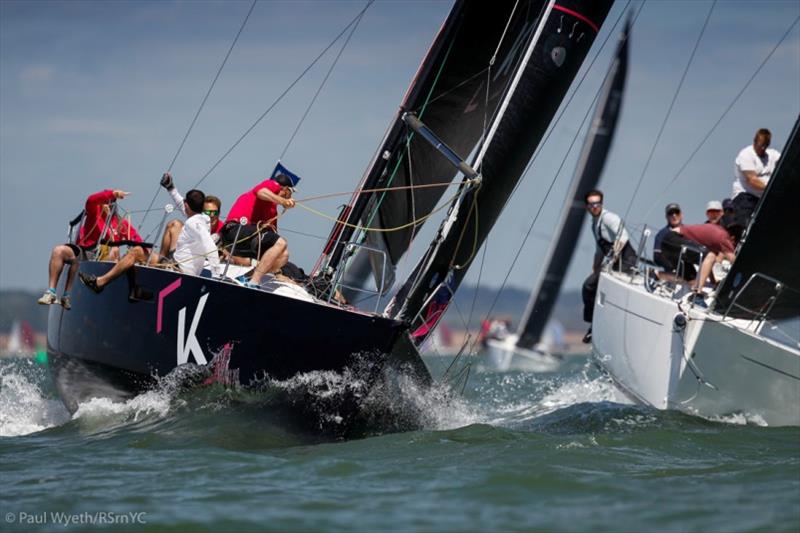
[[195, 245]]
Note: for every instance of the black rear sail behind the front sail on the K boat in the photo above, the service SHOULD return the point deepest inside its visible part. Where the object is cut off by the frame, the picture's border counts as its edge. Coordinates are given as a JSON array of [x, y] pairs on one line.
[[456, 92]]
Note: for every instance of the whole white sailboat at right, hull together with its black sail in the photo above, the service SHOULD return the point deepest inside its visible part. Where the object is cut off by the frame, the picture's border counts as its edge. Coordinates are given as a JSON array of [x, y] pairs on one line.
[[735, 357]]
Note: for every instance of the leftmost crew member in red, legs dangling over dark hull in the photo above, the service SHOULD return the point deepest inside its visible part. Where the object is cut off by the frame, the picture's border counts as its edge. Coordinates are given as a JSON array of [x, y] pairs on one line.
[[96, 211]]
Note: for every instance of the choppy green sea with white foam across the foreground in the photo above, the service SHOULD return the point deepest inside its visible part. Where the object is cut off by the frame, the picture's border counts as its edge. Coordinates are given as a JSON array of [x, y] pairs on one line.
[[515, 451]]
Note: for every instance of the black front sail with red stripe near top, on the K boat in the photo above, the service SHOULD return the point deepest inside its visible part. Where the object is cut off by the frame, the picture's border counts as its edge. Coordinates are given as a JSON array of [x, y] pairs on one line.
[[544, 50]]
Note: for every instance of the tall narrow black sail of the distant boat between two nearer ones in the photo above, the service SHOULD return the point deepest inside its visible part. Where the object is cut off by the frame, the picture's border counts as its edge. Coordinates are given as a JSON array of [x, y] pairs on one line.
[[587, 174]]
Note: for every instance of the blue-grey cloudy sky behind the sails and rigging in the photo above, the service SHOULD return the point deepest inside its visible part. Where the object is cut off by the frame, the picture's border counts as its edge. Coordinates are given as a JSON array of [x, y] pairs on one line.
[[100, 94]]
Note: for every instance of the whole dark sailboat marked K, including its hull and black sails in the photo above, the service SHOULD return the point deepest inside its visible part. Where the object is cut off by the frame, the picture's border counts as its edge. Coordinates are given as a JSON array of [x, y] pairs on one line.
[[493, 78]]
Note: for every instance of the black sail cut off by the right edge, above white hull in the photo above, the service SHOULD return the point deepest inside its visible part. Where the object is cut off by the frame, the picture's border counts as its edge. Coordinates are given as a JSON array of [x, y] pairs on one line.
[[771, 248]]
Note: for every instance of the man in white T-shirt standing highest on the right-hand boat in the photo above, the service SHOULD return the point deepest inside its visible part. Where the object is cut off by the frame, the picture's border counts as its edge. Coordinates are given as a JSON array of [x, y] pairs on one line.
[[753, 167]]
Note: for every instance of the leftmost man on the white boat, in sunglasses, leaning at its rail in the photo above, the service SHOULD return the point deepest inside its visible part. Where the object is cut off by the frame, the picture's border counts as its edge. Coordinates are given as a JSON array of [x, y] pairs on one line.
[[612, 240]]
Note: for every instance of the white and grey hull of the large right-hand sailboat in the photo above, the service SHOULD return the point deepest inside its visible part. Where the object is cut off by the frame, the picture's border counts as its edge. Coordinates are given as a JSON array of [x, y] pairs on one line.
[[709, 367]]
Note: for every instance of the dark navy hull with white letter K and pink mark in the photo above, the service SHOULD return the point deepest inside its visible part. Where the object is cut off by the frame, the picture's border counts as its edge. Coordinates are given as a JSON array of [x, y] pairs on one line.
[[117, 343]]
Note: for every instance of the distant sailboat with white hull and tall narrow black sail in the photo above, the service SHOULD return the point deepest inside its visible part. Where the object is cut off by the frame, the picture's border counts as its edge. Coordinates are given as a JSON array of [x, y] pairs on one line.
[[527, 342]]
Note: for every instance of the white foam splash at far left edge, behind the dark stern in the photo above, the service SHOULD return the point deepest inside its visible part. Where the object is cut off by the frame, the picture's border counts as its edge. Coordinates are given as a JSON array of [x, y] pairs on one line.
[[24, 406]]
